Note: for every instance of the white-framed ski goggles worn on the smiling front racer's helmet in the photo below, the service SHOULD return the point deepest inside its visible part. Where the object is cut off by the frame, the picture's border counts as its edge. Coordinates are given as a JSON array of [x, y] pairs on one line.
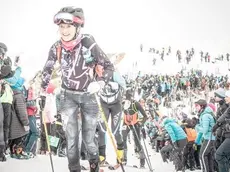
[[66, 18]]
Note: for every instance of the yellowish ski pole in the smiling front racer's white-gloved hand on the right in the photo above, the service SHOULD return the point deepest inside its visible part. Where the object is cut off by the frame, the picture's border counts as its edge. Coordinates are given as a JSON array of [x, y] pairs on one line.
[[109, 131]]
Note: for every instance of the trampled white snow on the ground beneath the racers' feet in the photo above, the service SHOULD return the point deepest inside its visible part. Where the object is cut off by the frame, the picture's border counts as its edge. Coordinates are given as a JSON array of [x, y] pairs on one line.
[[42, 163]]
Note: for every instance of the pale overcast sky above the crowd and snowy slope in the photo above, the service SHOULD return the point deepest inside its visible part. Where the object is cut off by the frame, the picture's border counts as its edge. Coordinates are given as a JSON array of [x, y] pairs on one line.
[[27, 26]]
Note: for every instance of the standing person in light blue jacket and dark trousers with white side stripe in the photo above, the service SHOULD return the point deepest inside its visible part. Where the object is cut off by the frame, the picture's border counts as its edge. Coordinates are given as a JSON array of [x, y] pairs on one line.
[[207, 121]]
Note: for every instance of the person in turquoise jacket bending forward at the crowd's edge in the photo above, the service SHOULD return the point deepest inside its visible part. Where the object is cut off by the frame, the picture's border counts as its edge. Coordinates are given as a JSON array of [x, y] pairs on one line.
[[178, 138]]
